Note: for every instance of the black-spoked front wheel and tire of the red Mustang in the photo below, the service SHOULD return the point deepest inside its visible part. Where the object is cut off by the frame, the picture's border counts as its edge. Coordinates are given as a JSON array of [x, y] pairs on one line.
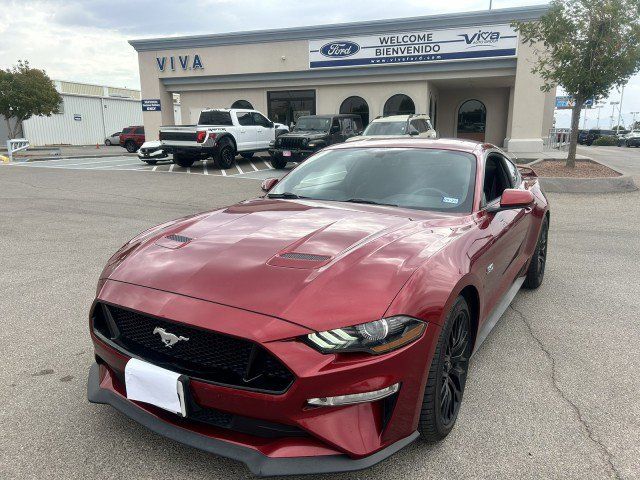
[[447, 375]]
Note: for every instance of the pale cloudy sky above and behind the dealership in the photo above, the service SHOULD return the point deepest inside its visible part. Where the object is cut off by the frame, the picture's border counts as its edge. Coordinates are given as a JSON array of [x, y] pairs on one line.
[[86, 41]]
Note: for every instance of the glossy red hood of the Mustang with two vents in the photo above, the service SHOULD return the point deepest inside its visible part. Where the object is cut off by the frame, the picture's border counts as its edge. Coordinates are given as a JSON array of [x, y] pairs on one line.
[[304, 261]]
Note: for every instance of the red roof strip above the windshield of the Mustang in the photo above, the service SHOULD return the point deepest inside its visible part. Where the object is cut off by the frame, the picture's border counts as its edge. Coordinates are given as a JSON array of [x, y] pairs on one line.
[[457, 144]]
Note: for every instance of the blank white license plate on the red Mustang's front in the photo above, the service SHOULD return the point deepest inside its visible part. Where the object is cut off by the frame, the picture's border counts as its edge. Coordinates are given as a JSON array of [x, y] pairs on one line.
[[154, 385]]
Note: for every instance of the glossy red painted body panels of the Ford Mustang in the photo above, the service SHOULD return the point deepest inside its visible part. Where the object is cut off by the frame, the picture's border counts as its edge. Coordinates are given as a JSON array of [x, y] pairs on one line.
[[380, 261]]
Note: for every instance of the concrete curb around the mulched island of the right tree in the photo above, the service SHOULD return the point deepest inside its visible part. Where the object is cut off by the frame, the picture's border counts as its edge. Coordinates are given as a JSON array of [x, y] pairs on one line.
[[622, 184]]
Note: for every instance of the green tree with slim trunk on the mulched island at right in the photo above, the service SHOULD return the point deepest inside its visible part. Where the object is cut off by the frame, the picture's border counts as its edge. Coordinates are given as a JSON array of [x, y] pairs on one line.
[[587, 47]]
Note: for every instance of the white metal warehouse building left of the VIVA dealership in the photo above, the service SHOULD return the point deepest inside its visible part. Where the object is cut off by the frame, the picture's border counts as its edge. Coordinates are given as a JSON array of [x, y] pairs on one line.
[[88, 114]]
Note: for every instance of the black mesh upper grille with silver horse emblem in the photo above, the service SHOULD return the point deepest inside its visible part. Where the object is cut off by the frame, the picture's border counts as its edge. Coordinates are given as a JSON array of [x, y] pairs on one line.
[[200, 354]]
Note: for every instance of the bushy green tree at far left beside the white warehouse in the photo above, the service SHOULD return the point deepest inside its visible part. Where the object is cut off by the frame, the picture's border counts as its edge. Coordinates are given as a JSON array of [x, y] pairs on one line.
[[24, 92]]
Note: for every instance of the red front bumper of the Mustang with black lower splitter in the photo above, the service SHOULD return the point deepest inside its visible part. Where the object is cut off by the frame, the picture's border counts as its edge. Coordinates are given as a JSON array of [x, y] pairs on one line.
[[334, 438]]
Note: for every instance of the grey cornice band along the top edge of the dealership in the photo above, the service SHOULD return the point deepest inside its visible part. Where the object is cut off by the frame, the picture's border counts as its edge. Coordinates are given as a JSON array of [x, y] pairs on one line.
[[464, 19]]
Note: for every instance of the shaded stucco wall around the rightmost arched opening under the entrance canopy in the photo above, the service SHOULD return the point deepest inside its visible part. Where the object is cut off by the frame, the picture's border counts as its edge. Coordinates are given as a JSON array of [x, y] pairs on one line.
[[496, 100]]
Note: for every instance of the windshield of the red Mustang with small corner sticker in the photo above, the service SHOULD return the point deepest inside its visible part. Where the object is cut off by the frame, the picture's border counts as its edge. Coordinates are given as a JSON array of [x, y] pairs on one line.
[[423, 179]]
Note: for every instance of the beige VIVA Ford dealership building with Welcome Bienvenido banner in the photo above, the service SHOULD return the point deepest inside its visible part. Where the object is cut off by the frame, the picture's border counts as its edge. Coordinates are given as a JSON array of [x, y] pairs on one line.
[[468, 71]]
